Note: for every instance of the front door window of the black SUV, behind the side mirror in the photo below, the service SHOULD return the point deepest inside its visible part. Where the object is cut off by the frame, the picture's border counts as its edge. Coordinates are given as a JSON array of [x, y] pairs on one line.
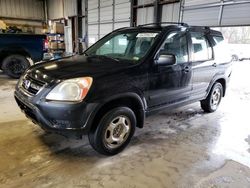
[[176, 44]]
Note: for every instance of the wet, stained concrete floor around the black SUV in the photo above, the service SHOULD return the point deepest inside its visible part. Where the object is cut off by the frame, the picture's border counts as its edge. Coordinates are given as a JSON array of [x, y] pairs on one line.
[[184, 148]]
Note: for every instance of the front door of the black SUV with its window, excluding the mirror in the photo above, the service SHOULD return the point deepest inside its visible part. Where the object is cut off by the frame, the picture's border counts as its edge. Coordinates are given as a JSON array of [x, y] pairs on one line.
[[171, 84]]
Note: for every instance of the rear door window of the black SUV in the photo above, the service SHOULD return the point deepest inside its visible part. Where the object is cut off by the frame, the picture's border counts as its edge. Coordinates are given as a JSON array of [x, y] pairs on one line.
[[202, 50]]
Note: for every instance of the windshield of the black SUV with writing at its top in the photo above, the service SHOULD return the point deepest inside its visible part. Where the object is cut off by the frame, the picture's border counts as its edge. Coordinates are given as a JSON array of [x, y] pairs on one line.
[[124, 45]]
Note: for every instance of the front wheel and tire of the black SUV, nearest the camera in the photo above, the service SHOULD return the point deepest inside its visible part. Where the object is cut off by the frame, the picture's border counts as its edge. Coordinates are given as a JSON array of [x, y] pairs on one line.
[[114, 131]]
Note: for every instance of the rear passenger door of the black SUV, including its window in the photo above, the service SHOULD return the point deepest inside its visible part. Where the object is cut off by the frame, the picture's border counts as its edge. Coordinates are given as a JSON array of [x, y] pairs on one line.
[[203, 64]]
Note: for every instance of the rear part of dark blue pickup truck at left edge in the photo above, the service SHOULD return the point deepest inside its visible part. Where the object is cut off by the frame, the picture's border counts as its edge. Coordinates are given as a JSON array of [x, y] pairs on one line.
[[19, 51]]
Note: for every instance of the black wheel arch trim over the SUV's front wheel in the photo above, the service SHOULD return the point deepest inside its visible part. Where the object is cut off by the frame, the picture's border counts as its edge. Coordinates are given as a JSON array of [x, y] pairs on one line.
[[131, 100]]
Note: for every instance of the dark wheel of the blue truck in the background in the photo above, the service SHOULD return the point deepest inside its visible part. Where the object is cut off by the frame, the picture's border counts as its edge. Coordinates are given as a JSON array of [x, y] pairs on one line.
[[15, 65]]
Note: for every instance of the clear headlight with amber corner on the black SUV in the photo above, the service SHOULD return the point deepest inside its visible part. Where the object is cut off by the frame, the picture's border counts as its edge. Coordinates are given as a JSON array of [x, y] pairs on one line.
[[71, 90]]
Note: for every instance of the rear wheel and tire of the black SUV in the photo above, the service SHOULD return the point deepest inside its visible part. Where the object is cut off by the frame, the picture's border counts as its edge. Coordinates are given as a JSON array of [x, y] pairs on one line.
[[212, 102]]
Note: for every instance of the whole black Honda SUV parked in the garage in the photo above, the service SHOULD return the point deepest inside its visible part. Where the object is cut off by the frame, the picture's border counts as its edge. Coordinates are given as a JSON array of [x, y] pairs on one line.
[[107, 91]]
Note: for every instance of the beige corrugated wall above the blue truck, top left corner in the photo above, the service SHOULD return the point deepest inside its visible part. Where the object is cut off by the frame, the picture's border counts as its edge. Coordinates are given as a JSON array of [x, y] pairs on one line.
[[26, 14]]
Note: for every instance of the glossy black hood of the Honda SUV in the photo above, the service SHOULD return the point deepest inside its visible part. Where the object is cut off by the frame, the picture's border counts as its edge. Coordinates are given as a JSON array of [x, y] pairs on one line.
[[76, 66]]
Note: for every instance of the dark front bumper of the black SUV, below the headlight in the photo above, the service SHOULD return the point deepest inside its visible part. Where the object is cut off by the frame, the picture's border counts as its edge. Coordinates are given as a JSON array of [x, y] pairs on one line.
[[59, 117]]
